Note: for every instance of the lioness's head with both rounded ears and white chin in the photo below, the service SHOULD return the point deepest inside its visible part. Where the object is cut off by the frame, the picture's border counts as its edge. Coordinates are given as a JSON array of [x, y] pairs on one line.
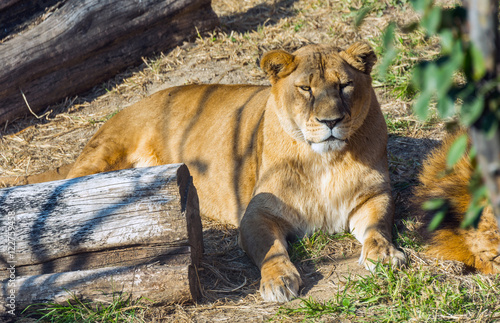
[[322, 94]]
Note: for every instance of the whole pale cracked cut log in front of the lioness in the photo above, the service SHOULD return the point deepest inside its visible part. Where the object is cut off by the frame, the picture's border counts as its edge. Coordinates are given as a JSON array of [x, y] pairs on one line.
[[135, 231]]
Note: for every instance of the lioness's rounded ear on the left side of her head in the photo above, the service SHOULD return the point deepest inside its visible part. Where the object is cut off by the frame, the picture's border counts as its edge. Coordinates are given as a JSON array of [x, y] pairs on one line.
[[277, 64]]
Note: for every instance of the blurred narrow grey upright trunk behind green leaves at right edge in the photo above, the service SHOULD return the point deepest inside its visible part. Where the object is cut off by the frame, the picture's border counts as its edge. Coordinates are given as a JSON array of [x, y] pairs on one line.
[[483, 24]]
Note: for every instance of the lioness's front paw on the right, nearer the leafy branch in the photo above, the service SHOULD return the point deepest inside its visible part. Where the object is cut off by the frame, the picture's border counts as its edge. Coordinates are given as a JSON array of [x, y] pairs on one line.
[[380, 250]]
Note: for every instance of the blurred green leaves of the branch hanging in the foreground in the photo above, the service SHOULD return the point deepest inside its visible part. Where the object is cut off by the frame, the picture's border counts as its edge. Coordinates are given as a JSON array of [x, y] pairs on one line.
[[459, 85]]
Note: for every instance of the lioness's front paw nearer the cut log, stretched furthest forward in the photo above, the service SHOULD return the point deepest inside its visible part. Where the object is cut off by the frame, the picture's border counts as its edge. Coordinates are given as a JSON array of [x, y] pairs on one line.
[[280, 280]]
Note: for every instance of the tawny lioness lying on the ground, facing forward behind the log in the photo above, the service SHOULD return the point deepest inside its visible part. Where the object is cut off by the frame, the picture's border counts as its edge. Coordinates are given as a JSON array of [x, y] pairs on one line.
[[306, 153]]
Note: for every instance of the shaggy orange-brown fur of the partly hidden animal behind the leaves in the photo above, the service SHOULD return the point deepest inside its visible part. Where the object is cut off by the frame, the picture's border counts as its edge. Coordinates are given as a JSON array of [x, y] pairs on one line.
[[476, 248]]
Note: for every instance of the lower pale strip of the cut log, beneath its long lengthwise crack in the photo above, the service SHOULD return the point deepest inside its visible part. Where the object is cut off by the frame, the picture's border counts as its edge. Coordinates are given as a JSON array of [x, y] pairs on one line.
[[159, 283]]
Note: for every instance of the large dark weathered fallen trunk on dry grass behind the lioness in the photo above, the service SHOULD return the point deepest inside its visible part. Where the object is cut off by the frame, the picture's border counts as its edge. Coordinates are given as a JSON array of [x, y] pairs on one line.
[[88, 41]]
